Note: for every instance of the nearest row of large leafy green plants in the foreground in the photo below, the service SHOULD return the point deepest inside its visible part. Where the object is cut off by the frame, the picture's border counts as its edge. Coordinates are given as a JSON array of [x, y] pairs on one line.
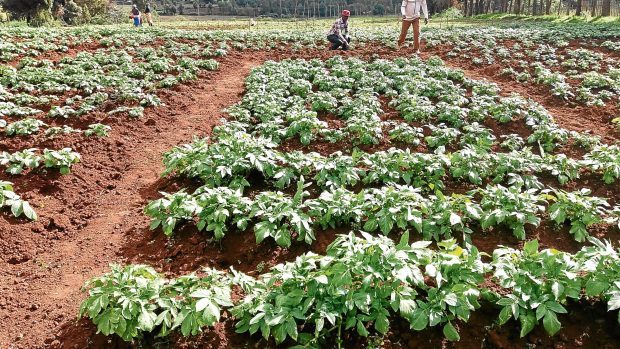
[[361, 284]]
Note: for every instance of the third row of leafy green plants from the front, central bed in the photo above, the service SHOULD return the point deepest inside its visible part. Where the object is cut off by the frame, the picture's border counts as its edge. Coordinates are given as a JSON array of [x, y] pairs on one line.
[[237, 155]]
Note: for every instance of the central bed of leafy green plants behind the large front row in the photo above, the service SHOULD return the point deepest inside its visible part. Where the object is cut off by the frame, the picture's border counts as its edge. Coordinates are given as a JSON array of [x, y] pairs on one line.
[[509, 193]]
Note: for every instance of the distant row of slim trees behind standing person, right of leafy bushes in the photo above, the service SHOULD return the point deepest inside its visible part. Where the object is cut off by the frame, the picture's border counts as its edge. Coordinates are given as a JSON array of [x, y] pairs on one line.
[[331, 8]]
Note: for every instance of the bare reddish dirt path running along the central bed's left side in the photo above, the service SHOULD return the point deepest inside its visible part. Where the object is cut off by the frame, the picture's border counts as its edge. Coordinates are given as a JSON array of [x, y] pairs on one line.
[[49, 284]]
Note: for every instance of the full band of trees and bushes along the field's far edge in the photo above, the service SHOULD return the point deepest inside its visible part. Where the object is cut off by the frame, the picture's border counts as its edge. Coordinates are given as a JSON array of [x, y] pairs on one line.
[[75, 12]]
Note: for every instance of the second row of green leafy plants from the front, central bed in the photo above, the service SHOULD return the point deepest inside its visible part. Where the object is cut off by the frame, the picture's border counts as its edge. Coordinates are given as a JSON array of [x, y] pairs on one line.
[[385, 209]]
